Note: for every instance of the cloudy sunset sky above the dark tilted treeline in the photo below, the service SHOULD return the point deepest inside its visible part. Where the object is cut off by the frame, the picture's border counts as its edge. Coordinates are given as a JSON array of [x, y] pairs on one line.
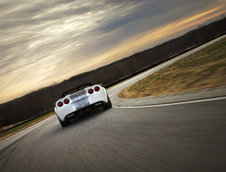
[[45, 42]]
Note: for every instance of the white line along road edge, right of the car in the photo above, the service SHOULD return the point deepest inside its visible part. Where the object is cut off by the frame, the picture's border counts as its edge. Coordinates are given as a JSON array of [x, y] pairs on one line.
[[171, 104]]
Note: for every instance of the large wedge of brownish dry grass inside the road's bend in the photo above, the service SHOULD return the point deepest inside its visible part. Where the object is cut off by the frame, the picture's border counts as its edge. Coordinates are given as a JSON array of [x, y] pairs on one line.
[[203, 69]]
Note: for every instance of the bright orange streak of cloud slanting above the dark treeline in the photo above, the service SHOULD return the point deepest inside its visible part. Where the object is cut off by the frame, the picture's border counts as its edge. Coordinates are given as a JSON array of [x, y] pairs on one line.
[[137, 43]]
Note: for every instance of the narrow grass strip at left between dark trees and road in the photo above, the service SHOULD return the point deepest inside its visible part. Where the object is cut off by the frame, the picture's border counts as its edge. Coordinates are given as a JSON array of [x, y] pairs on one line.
[[14, 130]]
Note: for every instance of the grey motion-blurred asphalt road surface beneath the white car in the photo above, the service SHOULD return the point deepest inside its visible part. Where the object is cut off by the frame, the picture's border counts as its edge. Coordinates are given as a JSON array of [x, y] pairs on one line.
[[185, 137]]
